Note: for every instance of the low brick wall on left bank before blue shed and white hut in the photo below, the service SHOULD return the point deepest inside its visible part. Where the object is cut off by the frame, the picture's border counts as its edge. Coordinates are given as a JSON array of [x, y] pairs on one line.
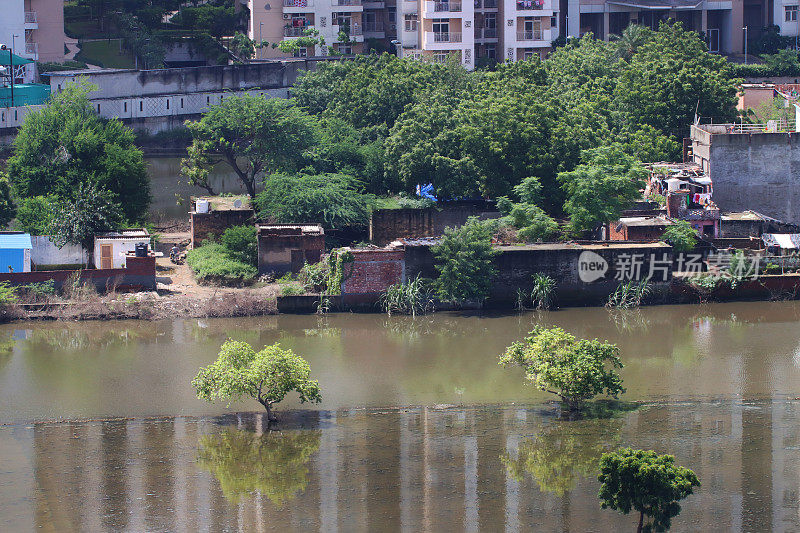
[[140, 273]]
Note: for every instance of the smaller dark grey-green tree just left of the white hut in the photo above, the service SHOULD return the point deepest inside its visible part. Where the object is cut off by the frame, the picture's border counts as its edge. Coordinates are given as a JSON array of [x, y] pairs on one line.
[[90, 210]]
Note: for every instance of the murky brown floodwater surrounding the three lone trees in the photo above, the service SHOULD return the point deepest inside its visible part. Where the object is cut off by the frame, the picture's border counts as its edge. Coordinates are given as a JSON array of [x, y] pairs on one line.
[[420, 428]]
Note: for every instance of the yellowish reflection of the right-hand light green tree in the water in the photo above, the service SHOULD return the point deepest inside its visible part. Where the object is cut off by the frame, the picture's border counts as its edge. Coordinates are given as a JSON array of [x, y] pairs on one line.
[[564, 452]]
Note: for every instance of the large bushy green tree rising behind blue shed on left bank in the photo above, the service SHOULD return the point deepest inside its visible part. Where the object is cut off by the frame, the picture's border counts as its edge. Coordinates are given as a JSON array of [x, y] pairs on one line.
[[66, 144]]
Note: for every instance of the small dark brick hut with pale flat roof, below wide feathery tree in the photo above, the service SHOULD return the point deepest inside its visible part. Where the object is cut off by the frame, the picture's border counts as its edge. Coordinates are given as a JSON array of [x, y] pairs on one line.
[[286, 248]]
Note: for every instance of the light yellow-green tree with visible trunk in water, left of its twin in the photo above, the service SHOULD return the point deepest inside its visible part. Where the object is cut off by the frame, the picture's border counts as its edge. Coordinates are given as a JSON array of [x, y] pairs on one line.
[[267, 376]]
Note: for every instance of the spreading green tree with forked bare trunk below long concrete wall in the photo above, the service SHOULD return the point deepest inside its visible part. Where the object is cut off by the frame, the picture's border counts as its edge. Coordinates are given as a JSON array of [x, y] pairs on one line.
[[252, 135]]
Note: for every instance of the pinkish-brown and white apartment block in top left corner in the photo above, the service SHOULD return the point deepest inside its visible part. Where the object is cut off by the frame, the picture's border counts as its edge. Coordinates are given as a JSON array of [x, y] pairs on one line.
[[35, 28]]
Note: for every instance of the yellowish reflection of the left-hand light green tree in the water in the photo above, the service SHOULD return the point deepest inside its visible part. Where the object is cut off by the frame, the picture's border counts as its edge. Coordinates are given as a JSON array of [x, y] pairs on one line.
[[274, 464]]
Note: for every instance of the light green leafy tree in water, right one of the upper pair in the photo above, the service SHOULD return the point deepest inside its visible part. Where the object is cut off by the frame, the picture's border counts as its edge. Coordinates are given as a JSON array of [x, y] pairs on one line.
[[575, 370]]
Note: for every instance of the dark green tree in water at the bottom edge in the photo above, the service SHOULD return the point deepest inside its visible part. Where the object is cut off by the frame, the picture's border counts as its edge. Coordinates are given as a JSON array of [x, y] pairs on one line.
[[646, 482]]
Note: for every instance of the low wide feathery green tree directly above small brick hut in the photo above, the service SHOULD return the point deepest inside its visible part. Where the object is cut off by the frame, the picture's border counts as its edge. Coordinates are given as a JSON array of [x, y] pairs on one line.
[[333, 200]]
